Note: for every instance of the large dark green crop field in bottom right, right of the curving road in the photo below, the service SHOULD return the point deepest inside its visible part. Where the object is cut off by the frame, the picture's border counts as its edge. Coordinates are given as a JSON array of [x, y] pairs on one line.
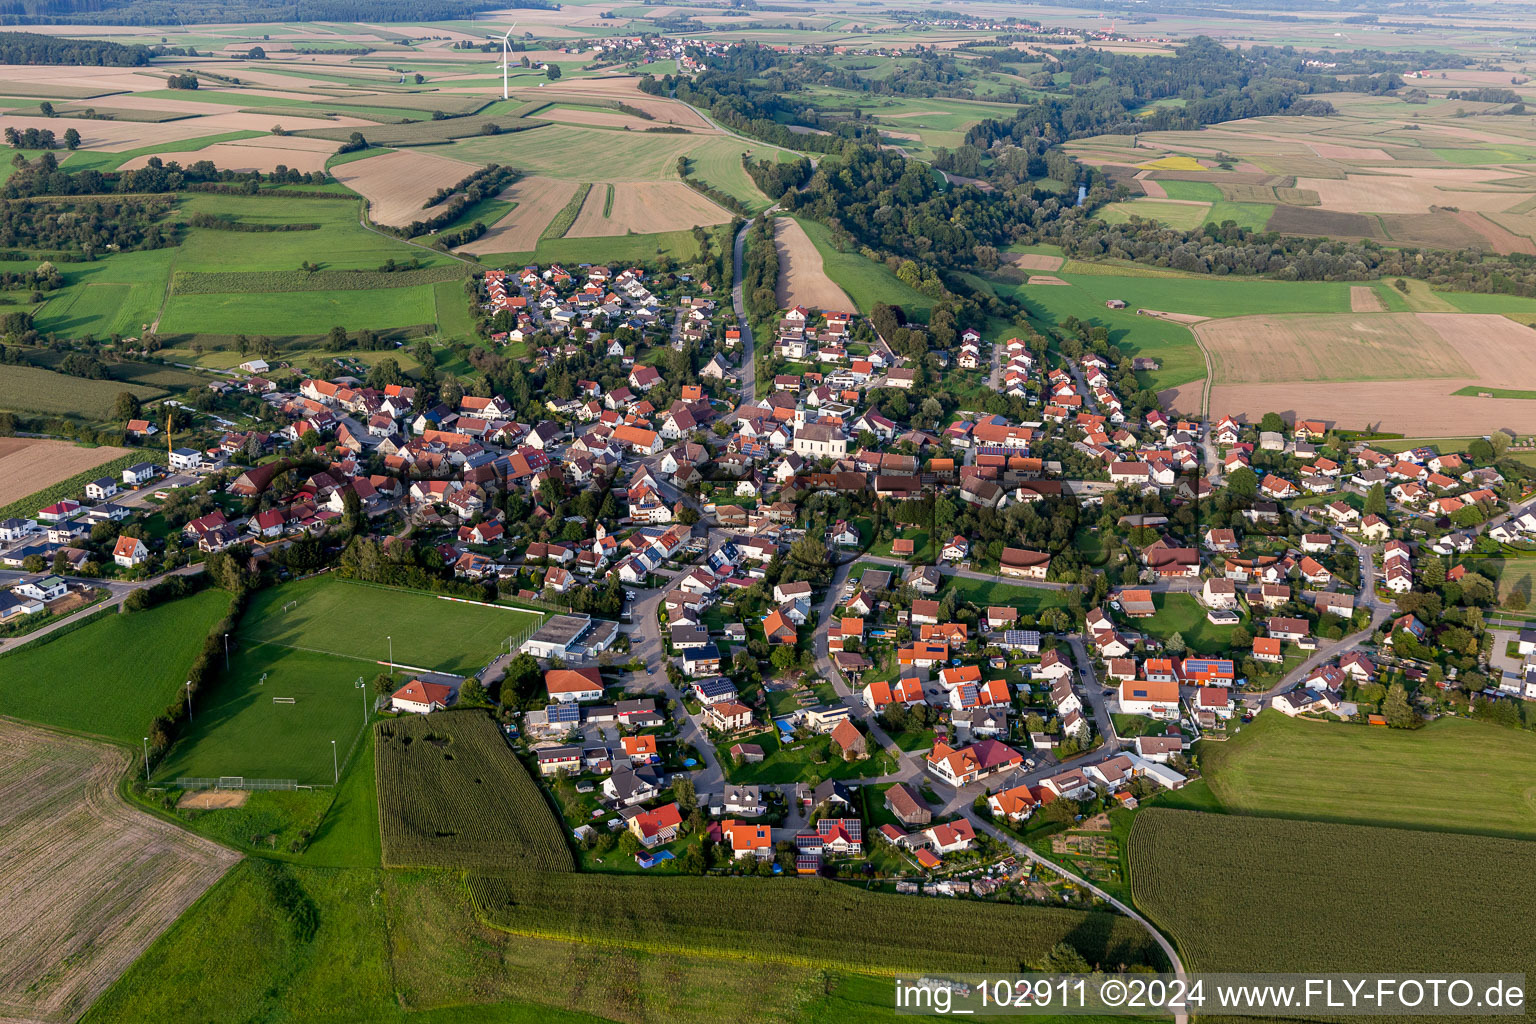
[[1182, 876]]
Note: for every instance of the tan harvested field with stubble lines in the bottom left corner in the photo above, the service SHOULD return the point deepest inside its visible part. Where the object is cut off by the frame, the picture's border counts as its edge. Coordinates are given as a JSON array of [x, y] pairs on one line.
[[88, 882]]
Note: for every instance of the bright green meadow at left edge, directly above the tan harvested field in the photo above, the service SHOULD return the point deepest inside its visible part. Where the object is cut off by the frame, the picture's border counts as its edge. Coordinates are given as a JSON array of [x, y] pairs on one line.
[[113, 676]]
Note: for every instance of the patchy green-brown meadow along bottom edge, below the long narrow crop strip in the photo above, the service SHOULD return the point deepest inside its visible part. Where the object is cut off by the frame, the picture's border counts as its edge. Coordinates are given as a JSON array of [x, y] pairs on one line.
[[414, 953]]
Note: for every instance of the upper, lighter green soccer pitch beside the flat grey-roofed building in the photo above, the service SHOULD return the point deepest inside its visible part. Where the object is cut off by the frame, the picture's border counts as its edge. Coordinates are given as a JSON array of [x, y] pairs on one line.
[[336, 616]]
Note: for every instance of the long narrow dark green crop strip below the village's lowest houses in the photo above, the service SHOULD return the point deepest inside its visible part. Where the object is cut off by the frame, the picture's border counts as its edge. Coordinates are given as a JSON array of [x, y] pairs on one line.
[[807, 923]]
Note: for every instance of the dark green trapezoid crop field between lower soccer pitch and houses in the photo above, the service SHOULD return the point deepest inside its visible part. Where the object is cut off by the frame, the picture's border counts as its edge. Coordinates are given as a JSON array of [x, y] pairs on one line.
[[434, 816]]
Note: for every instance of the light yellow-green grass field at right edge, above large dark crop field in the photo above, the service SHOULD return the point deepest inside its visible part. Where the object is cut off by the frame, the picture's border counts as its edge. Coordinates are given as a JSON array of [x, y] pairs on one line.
[[1451, 776]]
